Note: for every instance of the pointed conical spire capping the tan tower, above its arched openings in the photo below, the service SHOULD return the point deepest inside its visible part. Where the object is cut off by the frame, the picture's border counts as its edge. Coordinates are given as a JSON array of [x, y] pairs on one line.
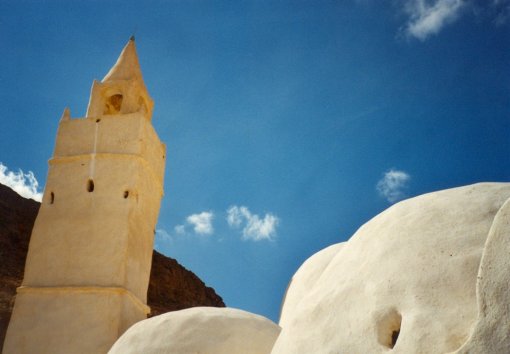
[[127, 66]]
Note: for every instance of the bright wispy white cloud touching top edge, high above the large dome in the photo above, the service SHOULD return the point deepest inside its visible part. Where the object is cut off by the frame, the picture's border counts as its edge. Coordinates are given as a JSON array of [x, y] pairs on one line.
[[427, 18]]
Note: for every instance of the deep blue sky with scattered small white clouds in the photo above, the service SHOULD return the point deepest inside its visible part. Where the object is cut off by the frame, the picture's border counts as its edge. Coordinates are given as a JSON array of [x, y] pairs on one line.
[[288, 124]]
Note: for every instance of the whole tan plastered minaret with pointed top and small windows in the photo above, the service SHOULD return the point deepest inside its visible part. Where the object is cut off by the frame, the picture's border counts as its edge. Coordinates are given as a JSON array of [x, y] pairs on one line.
[[89, 259]]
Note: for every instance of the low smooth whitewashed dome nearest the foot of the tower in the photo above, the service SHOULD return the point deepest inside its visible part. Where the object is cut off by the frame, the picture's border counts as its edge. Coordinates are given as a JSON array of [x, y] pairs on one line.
[[200, 330]]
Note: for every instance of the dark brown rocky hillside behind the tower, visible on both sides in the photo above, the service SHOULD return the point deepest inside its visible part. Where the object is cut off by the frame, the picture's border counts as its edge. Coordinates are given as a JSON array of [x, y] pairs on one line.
[[172, 287]]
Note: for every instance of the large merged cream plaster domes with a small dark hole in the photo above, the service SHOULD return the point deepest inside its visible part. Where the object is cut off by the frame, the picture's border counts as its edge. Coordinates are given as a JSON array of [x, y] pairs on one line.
[[407, 281]]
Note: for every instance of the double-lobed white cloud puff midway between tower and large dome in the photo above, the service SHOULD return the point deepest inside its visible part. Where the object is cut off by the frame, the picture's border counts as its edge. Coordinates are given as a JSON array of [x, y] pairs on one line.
[[254, 228]]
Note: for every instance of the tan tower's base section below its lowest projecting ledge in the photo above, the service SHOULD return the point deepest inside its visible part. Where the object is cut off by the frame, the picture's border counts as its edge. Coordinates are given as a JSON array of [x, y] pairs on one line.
[[70, 320]]
